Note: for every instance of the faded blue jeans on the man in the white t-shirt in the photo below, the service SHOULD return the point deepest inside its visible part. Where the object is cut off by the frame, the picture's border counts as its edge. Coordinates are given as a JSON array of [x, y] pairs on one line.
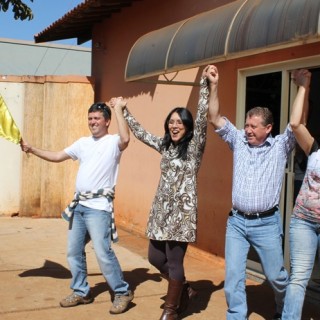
[[96, 224]]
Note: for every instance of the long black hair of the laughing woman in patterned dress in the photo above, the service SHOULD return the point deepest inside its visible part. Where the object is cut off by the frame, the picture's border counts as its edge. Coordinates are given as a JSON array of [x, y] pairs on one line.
[[187, 120]]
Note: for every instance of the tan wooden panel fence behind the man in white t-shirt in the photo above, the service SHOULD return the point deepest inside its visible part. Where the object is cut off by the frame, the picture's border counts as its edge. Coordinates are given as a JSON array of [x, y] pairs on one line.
[[54, 116]]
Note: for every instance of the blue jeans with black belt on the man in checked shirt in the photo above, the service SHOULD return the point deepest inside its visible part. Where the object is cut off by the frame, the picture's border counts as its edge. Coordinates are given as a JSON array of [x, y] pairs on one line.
[[265, 236]]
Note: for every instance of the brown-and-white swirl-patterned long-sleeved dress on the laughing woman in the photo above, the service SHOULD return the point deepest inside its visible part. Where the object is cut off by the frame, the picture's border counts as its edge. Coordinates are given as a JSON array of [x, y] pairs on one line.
[[173, 215]]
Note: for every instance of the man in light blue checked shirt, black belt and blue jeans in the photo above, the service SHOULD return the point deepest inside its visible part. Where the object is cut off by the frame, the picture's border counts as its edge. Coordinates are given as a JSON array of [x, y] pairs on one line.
[[259, 162]]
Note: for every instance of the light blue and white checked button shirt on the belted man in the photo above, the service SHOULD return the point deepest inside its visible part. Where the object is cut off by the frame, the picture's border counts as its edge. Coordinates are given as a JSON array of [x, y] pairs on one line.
[[257, 170]]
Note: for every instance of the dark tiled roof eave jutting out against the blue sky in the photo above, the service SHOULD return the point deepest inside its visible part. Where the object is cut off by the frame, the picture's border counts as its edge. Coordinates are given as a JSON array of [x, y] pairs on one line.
[[78, 22]]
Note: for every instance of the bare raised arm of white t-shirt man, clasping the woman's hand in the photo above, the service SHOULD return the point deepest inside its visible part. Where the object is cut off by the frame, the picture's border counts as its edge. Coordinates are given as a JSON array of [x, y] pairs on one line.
[[118, 104]]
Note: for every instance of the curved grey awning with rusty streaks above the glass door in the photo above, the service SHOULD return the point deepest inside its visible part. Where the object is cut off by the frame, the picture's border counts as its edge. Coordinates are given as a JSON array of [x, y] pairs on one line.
[[241, 27]]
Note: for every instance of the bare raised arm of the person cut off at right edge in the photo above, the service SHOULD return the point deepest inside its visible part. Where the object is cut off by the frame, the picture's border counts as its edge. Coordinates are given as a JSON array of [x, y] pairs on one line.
[[297, 118]]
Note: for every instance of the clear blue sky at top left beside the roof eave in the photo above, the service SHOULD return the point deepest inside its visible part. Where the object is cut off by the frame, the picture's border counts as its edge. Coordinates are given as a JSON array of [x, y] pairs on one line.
[[45, 12]]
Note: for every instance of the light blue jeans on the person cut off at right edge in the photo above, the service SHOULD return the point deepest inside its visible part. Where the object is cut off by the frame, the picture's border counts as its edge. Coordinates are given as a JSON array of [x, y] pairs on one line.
[[304, 242]]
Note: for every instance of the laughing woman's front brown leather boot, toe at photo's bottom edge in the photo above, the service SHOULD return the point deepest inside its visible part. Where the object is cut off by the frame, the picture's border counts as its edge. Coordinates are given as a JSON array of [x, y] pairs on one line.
[[172, 300]]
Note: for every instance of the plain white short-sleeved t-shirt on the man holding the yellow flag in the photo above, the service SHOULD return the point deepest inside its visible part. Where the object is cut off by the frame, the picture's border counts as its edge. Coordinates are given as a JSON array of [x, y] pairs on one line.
[[98, 166]]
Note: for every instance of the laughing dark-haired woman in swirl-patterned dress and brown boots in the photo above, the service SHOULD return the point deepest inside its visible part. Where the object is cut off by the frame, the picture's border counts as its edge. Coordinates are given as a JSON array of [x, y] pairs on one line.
[[172, 222]]
